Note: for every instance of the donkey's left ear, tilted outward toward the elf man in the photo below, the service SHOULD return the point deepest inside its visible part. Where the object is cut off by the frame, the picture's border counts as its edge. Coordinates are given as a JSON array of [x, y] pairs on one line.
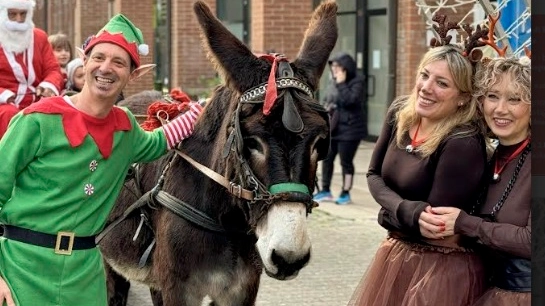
[[230, 57]]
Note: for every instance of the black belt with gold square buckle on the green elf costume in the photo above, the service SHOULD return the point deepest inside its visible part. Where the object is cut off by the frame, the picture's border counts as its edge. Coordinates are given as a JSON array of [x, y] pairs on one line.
[[63, 242]]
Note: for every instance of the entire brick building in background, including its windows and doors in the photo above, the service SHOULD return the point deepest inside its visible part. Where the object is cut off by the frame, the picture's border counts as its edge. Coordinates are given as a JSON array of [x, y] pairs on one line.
[[387, 38]]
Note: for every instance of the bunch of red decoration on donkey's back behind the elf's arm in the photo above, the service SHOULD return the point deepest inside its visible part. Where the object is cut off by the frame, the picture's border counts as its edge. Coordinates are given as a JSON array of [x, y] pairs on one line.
[[159, 111]]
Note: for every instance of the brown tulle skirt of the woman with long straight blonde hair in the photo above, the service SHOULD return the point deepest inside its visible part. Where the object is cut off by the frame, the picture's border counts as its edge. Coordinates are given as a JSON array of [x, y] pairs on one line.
[[412, 274]]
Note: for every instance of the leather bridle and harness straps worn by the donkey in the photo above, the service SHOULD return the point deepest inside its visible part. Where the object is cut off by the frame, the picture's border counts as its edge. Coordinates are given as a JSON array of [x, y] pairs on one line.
[[250, 189]]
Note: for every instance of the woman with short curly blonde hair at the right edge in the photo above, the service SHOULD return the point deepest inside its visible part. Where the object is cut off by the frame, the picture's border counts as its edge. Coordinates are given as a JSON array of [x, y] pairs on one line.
[[503, 222]]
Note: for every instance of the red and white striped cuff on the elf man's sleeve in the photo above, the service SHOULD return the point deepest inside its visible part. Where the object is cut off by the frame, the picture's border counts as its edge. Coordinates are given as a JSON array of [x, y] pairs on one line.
[[182, 126]]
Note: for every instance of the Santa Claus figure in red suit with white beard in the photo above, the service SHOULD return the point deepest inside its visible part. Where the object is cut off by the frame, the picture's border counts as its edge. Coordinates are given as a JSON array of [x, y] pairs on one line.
[[28, 68]]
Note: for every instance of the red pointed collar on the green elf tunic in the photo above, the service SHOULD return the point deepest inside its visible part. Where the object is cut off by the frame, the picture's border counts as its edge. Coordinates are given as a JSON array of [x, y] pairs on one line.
[[77, 124]]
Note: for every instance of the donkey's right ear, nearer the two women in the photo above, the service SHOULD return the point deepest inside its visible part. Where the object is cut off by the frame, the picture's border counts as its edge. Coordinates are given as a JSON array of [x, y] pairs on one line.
[[319, 41]]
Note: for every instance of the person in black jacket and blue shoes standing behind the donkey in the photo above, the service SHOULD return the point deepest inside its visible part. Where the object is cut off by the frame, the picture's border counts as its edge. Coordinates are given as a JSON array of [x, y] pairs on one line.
[[344, 101]]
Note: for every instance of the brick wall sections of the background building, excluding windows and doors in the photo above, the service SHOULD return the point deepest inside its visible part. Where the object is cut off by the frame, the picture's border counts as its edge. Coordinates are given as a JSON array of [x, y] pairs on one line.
[[276, 25]]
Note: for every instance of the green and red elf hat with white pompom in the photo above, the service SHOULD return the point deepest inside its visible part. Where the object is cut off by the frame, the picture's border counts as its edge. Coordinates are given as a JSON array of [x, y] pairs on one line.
[[122, 32]]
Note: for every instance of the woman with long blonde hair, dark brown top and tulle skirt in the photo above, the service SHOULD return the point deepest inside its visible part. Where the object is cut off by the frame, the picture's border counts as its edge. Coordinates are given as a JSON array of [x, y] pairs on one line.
[[431, 152]]
